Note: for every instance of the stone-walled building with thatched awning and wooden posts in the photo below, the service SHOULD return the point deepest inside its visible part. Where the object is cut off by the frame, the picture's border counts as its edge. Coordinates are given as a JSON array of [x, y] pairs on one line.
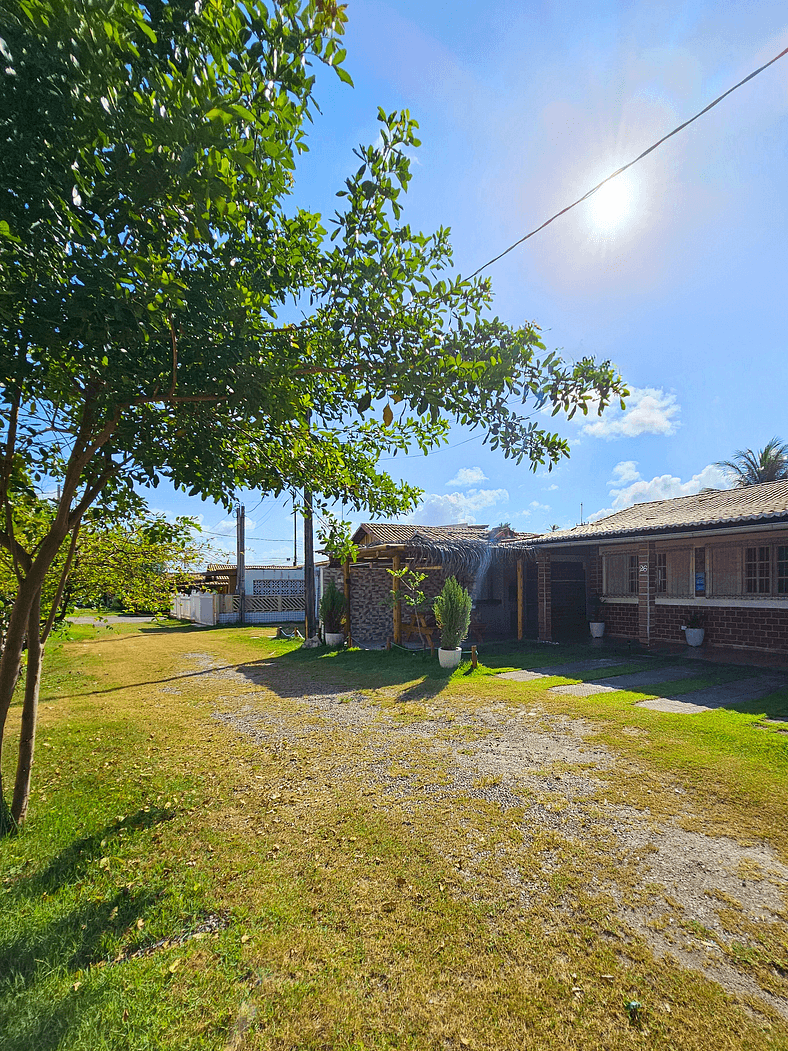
[[484, 561]]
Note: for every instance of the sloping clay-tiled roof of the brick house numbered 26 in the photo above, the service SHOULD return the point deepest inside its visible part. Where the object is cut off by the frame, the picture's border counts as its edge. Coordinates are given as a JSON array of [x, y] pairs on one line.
[[712, 508]]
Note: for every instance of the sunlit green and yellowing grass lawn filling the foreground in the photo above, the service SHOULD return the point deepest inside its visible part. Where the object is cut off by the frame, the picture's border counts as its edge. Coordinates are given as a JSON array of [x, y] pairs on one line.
[[235, 843]]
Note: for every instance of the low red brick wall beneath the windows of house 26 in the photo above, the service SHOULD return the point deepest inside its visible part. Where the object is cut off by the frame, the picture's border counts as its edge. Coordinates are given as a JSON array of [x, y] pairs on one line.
[[746, 629]]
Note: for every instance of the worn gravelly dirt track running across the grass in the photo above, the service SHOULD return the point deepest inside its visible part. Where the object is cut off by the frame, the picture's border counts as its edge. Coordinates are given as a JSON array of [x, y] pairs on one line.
[[713, 904]]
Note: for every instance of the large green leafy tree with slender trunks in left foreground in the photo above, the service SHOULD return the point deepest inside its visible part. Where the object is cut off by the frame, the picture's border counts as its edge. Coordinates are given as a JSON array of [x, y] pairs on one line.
[[151, 282]]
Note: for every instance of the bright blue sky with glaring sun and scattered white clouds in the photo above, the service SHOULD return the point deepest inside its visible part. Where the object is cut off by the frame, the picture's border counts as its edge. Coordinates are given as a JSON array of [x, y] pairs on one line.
[[679, 278]]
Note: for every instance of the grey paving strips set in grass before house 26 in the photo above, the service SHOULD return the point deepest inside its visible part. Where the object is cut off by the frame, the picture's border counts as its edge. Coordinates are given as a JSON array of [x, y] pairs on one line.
[[730, 695]]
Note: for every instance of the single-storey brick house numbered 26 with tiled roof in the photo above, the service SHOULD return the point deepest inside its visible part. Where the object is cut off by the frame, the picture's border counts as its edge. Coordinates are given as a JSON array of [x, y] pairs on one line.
[[722, 554]]
